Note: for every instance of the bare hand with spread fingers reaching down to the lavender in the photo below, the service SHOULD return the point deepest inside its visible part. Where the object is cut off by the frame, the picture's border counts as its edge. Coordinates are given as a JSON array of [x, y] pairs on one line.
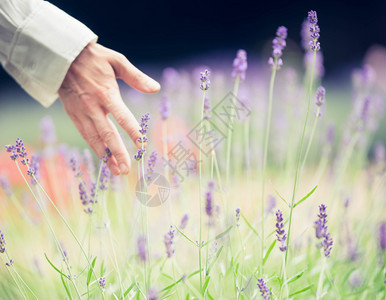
[[90, 92]]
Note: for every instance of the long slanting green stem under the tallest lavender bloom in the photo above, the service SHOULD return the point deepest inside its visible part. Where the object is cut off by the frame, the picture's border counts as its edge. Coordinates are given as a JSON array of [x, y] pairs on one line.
[[299, 158]]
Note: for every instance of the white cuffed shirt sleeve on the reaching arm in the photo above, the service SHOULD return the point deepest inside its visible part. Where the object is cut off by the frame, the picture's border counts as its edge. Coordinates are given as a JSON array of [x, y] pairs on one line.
[[38, 43]]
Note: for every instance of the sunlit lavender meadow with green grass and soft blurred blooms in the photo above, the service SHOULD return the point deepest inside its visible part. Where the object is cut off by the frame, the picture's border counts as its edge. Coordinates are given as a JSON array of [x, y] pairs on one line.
[[71, 230]]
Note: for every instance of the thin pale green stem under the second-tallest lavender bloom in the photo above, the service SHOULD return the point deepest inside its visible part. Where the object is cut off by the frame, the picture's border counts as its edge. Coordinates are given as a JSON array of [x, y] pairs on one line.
[[266, 141]]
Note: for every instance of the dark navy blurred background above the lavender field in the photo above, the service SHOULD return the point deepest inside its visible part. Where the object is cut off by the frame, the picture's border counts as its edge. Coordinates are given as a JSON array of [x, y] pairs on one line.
[[163, 32]]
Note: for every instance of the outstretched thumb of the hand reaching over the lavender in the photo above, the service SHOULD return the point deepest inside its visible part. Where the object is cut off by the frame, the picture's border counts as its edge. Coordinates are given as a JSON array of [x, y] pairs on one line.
[[131, 75]]
